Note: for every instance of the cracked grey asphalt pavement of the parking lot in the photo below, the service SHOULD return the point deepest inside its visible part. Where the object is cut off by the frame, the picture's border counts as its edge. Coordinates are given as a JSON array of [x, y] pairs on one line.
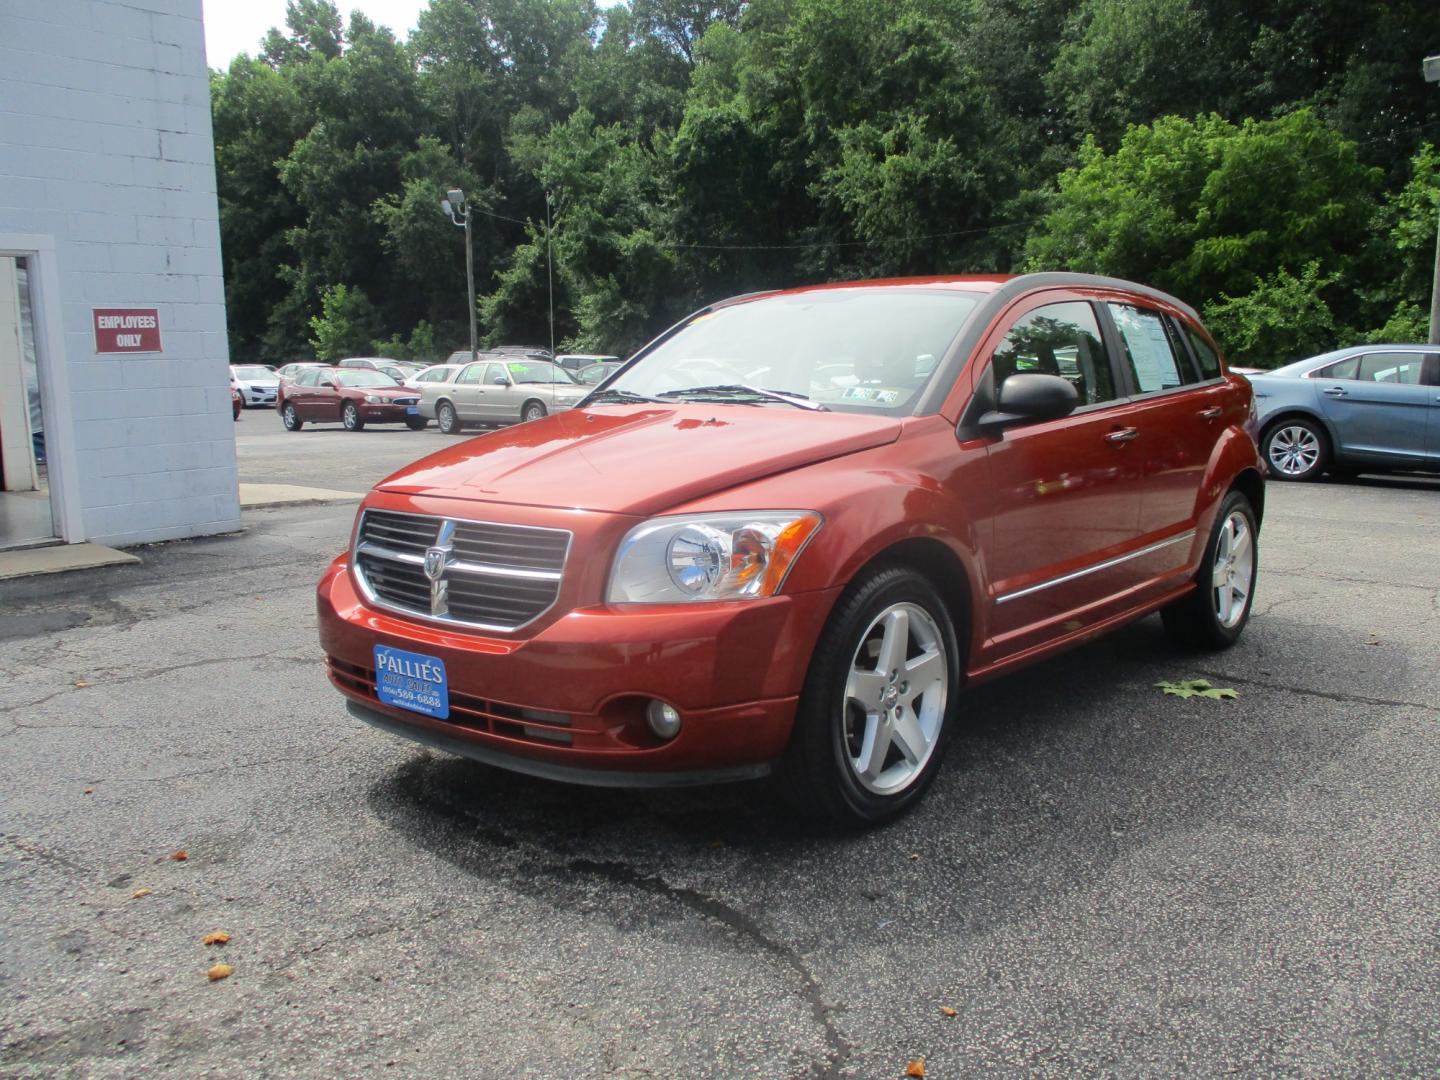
[[1104, 881]]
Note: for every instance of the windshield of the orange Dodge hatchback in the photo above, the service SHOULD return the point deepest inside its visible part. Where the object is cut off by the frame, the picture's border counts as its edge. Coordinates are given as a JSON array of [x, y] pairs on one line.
[[872, 349]]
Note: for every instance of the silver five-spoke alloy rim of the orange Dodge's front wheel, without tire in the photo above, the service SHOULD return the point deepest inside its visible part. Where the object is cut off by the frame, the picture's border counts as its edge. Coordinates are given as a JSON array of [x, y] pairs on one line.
[[895, 699]]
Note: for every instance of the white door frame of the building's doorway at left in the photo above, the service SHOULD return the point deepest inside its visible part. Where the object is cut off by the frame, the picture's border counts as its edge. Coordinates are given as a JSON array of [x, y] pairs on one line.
[[48, 315]]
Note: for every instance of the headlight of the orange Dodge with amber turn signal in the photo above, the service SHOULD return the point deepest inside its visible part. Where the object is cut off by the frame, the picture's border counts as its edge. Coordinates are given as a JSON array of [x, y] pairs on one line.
[[709, 558]]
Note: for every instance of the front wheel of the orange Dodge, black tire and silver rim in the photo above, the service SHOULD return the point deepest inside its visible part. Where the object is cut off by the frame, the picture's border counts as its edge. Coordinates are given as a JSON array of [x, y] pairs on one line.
[[872, 724]]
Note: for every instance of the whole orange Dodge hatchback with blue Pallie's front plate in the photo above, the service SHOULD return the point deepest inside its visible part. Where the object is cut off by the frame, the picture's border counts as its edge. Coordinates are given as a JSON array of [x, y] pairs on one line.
[[788, 532]]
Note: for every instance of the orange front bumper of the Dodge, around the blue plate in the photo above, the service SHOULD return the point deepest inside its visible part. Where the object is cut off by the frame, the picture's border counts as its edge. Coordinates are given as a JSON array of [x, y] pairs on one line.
[[570, 702]]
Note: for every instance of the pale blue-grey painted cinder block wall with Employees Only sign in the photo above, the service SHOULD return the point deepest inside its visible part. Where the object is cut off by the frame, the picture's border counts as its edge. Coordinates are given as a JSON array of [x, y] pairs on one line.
[[106, 146]]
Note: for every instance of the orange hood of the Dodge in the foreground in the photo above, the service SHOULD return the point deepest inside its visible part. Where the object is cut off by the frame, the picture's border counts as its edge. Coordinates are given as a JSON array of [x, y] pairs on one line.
[[639, 460]]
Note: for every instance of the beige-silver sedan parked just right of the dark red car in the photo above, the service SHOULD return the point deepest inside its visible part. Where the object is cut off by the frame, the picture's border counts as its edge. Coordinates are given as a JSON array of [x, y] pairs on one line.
[[499, 392]]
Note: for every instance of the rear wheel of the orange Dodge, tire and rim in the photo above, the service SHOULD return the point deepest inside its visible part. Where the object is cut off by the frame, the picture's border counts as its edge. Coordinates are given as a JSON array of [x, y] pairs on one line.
[[1213, 617]]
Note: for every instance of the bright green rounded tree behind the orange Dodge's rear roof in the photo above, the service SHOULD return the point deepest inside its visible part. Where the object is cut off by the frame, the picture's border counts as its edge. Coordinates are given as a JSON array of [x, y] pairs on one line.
[[1207, 208]]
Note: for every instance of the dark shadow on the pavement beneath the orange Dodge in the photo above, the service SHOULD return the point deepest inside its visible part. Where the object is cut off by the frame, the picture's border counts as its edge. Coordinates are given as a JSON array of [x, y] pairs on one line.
[[1053, 778]]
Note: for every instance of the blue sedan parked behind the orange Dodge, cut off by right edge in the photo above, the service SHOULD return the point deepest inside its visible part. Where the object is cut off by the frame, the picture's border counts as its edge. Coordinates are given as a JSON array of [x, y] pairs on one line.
[[1362, 410]]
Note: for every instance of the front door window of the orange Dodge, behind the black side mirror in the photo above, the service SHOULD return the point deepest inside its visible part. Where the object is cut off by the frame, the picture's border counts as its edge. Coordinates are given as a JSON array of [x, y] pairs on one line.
[[1059, 339]]
